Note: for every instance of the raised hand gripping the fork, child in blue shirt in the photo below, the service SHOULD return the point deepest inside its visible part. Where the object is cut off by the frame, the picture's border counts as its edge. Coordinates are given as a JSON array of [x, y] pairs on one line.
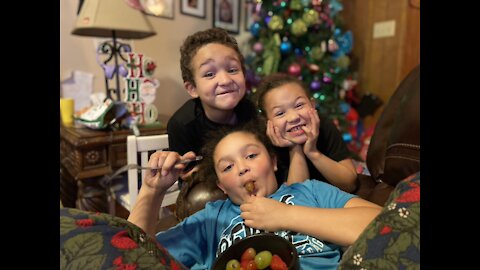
[[169, 169]]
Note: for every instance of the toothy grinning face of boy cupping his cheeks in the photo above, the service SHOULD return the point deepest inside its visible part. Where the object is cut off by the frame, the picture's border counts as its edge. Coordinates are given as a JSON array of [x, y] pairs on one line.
[[287, 107]]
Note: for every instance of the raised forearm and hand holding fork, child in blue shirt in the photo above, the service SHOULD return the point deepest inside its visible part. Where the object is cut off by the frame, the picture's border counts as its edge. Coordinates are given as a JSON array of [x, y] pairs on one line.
[[154, 186]]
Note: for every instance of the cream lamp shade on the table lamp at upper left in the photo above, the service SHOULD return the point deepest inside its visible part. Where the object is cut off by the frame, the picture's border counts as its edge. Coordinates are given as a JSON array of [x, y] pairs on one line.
[[98, 18]]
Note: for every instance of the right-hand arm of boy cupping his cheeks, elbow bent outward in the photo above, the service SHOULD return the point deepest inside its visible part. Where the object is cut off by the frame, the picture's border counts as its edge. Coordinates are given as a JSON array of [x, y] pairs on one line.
[[341, 174]]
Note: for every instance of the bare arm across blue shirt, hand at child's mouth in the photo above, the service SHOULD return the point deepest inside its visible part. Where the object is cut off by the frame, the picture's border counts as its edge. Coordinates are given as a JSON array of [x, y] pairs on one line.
[[341, 226]]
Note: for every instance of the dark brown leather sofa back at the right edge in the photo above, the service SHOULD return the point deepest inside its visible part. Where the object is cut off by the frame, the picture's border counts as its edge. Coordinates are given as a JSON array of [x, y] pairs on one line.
[[394, 150]]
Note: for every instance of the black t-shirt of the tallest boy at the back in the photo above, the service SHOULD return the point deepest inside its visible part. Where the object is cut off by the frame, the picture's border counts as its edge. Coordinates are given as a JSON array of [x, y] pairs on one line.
[[188, 126]]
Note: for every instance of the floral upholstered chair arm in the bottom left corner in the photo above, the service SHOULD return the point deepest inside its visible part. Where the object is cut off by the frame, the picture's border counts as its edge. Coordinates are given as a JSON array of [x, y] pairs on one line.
[[102, 241]]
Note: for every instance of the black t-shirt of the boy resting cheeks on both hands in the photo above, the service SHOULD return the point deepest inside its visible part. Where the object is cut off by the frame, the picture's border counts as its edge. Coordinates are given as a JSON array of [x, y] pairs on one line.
[[329, 143]]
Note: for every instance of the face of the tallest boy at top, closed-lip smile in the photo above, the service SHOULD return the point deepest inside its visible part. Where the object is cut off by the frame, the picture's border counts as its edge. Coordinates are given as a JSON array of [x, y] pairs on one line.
[[219, 79]]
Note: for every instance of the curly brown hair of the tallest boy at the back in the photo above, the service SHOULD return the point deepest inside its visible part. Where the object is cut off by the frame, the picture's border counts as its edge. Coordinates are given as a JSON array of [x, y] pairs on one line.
[[194, 42]]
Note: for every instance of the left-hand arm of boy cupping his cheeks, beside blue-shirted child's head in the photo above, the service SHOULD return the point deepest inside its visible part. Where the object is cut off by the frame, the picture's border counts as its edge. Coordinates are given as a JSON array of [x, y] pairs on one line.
[[298, 169]]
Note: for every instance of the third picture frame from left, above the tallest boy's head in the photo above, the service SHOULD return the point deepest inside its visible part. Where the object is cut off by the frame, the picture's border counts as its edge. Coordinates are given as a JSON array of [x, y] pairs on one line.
[[226, 15]]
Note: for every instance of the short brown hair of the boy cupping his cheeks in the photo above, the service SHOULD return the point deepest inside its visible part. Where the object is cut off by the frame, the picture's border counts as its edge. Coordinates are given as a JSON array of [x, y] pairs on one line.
[[271, 82]]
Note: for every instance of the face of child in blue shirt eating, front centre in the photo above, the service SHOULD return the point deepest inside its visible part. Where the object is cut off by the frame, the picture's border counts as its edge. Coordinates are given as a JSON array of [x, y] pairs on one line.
[[240, 159]]
